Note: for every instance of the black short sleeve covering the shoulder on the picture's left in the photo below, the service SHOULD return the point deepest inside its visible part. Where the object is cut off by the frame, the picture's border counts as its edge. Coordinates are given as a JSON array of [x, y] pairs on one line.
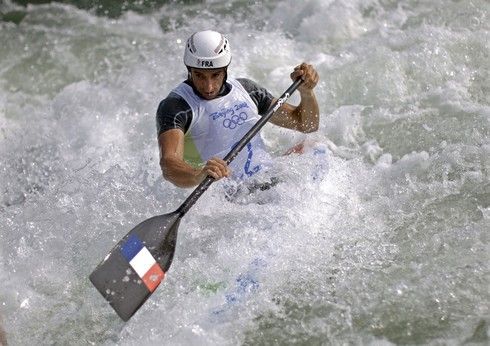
[[173, 112]]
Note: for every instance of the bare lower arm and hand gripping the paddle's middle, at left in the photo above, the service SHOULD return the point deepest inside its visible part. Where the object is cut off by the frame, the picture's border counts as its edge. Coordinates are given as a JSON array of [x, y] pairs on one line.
[[179, 172]]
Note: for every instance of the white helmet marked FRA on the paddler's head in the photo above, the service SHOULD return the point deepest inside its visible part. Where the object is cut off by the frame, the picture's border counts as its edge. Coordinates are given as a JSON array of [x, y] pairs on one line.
[[207, 49]]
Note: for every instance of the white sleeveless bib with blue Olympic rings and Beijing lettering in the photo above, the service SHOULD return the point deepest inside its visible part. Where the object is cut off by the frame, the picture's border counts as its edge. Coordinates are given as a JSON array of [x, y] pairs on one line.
[[217, 125]]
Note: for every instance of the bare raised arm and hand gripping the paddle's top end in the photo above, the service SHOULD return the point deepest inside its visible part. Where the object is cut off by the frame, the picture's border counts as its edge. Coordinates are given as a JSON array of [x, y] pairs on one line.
[[306, 116]]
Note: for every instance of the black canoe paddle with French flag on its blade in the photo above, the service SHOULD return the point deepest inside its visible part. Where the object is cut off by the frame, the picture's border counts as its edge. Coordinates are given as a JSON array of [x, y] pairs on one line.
[[134, 268]]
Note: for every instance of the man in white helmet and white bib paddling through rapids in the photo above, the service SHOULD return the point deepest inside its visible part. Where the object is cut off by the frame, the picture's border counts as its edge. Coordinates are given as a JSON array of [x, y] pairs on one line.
[[206, 115]]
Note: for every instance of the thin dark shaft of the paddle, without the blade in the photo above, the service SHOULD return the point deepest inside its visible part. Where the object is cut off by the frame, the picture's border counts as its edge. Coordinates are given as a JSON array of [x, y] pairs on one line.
[[203, 186]]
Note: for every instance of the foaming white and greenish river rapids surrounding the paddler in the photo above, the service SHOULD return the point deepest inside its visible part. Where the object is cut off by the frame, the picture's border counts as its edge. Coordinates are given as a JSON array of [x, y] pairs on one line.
[[391, 247]]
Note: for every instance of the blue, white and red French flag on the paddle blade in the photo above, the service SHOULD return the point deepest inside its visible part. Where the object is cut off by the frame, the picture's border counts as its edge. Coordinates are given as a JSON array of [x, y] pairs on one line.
[[143, 263]]
